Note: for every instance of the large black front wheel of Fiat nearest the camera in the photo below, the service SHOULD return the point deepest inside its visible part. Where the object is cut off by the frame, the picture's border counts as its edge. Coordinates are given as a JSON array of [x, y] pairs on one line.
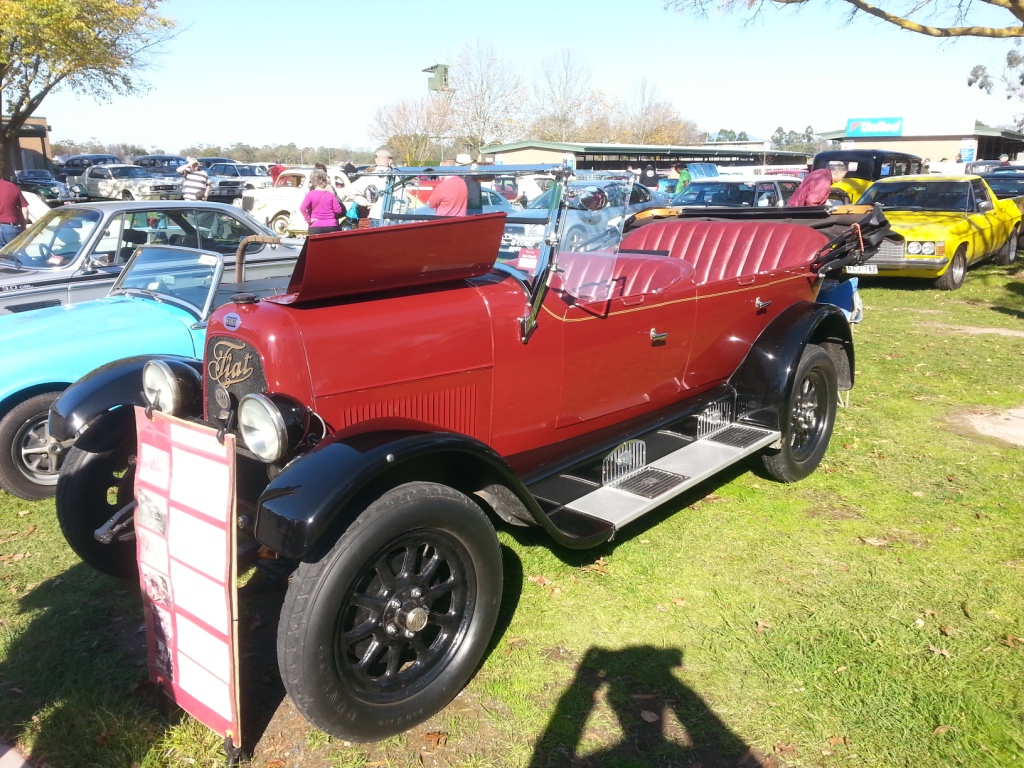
[[388, 627]]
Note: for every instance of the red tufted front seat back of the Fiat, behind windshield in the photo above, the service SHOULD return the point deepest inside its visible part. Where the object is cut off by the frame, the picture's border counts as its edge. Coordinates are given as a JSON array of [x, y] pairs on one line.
[[604, 276]]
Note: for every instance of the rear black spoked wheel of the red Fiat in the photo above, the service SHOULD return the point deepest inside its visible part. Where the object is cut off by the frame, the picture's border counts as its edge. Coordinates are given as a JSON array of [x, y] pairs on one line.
[[808, 418]]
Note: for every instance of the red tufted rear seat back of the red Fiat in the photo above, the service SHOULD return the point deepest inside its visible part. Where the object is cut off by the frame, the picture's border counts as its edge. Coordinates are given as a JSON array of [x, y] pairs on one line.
[[726, 250]]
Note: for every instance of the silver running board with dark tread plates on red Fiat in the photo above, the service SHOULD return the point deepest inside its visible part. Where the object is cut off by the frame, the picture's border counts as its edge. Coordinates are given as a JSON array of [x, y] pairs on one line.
[[630, 497]]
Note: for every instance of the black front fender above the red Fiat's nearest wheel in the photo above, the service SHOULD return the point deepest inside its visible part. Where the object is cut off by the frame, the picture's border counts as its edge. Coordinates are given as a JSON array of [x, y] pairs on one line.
[[312, 500]]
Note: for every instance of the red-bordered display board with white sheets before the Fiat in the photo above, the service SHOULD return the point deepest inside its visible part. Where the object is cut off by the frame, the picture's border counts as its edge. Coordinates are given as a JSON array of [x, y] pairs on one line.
[[188, 567]]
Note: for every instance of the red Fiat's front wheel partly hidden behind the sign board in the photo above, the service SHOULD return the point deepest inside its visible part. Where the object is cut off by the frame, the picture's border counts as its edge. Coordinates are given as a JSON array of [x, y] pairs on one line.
[[93, 488]]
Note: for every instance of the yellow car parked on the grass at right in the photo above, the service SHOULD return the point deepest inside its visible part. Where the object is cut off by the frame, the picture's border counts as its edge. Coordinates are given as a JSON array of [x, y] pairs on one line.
[[941, 227]]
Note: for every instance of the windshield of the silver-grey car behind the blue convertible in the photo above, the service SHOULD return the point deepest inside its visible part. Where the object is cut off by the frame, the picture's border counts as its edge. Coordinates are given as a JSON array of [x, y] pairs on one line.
[[55, 241]]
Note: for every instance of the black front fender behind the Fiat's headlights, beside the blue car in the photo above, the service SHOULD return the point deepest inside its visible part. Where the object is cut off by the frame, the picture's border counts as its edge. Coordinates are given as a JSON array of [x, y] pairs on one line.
[[81, 412]]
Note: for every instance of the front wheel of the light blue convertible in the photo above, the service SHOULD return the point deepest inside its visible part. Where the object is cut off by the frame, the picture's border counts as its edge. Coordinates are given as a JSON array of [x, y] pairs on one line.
[[28, 465]]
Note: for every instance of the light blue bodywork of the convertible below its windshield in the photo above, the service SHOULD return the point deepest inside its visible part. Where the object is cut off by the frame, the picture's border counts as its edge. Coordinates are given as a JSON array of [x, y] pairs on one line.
[[61, 345]]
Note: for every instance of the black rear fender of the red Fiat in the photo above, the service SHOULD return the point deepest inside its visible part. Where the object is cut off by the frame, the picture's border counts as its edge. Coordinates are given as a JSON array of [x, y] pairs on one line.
[[765, 376]]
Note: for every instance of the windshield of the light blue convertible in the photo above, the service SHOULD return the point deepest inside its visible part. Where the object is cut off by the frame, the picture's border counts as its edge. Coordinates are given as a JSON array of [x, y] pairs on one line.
[[182, 277]]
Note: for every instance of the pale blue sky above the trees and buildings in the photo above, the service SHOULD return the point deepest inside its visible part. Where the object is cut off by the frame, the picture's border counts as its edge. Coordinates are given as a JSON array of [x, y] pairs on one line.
[[314, 72]]
